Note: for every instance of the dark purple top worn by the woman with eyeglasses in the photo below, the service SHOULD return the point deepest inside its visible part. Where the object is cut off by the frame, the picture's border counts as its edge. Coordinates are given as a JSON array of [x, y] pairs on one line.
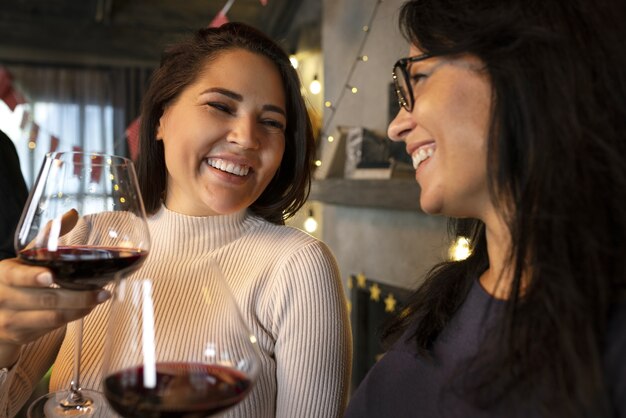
[[404, 384]]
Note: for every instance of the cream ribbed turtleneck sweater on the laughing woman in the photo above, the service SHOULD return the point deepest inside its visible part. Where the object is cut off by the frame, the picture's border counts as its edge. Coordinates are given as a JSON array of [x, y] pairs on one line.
[[288, 288]]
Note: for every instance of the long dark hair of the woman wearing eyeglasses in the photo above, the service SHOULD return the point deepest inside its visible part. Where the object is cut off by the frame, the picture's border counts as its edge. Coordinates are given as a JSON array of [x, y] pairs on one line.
[[557, 170]]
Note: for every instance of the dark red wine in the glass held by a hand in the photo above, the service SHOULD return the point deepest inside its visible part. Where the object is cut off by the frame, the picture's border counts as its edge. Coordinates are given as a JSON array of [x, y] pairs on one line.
[[84, 267]]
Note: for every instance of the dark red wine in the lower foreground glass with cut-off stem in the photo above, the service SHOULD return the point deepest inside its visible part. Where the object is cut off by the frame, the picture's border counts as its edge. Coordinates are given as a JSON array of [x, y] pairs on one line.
[[175, 390]]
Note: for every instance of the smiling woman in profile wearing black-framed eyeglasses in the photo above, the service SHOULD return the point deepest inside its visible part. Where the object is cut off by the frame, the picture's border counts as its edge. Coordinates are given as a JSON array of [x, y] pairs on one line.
[[514, 114]]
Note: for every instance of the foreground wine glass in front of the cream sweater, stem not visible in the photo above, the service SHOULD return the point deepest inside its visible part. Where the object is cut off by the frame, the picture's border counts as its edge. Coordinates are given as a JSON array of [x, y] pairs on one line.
[[170, 356]]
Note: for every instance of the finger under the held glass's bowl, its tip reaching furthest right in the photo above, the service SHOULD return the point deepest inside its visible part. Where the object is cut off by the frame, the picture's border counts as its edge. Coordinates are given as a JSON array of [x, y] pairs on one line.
[[20, 298]]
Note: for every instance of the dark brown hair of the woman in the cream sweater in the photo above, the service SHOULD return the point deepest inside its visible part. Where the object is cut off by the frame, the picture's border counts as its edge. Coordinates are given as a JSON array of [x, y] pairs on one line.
[[180, 66]]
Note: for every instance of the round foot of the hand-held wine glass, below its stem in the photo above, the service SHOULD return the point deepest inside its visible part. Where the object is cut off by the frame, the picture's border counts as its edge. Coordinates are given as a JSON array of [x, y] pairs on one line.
[[61, 404]]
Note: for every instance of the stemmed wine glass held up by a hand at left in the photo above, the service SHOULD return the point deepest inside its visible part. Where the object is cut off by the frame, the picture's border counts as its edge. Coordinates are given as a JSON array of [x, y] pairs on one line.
[[85, 221]]
